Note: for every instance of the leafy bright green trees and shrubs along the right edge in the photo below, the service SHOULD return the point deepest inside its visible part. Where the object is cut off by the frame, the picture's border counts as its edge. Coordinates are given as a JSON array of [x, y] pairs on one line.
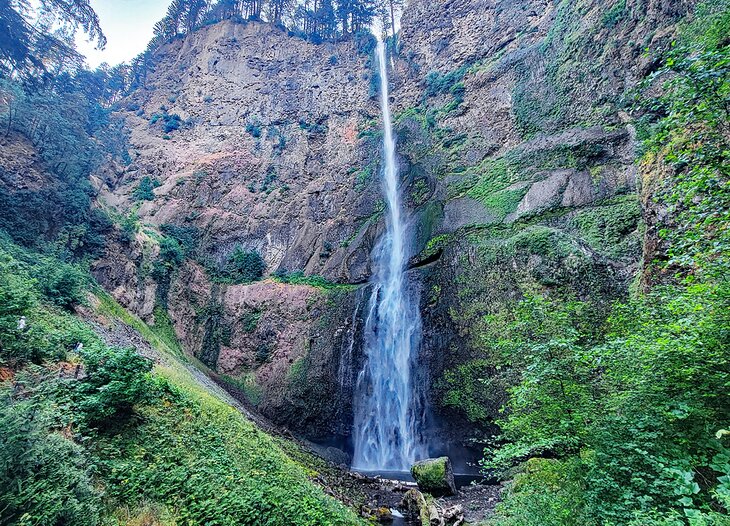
[[626, 423]]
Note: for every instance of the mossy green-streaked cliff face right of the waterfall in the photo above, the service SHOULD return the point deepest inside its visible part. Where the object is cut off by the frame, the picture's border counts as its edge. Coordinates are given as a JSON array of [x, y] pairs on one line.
[[513, 118]]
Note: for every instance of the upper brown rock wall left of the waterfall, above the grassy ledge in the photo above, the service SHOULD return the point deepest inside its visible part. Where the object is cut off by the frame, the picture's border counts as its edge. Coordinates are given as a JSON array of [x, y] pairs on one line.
[[266, 152]]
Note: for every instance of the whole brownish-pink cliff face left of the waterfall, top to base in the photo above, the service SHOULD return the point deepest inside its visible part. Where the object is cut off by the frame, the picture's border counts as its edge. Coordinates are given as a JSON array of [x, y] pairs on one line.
[[267, 157]]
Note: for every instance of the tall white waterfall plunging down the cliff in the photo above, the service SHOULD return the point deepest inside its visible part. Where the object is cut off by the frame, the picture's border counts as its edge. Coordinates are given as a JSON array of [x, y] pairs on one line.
[[388, 410]]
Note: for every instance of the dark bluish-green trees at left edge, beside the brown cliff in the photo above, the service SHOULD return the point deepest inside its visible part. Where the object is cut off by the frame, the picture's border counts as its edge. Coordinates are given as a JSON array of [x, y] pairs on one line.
[[57, 216]]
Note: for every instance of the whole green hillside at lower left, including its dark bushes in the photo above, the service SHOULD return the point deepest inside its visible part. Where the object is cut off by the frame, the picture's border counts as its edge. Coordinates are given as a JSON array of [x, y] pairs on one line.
[[91, 434]]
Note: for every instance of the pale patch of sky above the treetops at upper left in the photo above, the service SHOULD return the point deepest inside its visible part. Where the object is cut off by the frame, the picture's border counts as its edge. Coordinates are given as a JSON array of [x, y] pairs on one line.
[[127, 25]]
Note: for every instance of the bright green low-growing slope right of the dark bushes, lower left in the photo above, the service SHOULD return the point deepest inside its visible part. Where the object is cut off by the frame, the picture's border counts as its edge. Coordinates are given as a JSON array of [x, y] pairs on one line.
[[207, 461]]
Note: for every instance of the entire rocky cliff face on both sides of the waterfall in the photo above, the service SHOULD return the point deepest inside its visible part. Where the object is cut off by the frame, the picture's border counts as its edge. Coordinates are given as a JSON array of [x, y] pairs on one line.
[[519, 170]]
